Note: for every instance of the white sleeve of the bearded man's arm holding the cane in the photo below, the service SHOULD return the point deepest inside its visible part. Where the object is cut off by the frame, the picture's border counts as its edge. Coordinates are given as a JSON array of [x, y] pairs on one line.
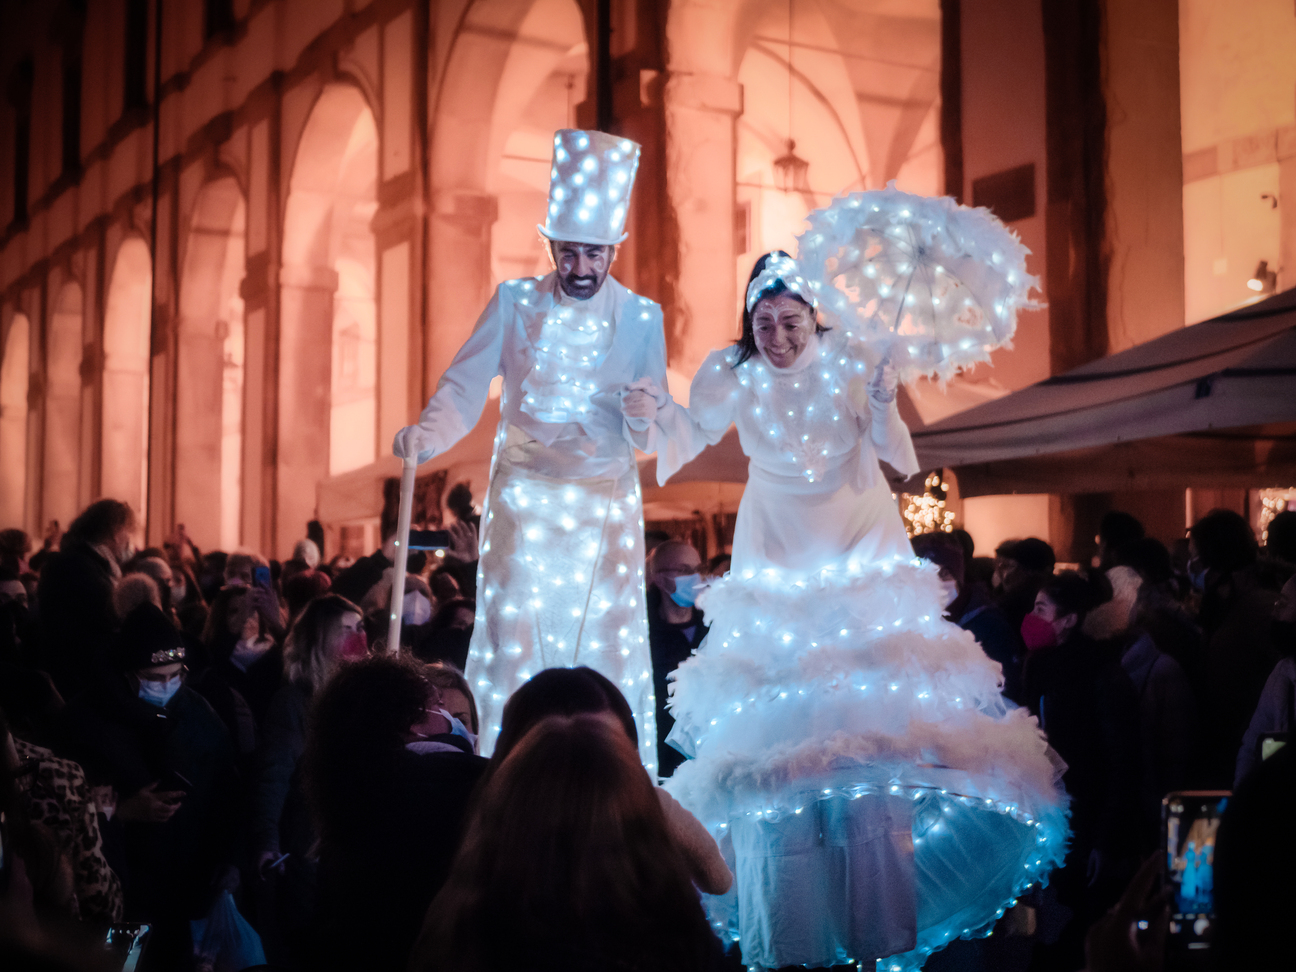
[[461, 397]]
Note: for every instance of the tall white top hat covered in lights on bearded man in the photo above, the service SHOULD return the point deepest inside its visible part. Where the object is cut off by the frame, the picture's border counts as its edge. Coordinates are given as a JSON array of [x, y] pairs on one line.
[[590, 186]]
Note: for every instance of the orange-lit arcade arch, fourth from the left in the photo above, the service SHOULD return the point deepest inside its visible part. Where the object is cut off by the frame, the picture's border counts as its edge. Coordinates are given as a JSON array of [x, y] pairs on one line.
[[211, 388]]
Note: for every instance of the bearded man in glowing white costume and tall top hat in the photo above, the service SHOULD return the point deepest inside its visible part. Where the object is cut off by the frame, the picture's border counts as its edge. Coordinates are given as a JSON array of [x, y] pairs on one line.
[[561, 577]]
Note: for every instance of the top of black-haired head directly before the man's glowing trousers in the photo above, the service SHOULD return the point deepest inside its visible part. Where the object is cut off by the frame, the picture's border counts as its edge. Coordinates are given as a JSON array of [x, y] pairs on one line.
[[561, 693]]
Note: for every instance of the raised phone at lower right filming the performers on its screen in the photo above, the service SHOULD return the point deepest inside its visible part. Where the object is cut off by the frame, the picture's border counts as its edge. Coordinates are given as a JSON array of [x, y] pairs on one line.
[[1190, 824]]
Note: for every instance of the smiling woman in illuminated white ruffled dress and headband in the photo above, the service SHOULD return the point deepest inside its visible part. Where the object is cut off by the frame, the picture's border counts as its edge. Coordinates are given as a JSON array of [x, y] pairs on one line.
[[850, 750]]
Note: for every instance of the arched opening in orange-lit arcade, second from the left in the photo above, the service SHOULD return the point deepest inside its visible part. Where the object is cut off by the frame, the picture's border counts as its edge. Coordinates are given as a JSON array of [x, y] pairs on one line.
[[64, 344]]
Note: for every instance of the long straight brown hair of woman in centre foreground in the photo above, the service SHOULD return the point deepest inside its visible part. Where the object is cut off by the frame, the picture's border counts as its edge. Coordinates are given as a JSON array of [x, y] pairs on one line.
[[570, 856]]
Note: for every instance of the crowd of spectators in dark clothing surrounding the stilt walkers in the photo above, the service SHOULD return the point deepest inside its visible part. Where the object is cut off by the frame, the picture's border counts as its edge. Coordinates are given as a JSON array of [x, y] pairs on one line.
[[185, 732]]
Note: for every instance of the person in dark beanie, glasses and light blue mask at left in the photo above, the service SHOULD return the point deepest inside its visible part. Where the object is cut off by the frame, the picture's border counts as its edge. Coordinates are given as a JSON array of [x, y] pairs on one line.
[[169, 758]]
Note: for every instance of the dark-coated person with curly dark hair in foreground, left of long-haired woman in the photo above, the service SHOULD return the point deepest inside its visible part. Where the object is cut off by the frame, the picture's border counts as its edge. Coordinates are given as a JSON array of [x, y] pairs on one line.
[[389, 813]]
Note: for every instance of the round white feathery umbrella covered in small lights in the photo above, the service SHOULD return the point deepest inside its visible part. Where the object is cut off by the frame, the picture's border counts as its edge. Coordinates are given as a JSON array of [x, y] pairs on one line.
[[929, 283]]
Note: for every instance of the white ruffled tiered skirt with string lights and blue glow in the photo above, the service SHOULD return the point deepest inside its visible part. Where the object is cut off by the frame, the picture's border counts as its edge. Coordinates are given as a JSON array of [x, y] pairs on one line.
[[874, 794]]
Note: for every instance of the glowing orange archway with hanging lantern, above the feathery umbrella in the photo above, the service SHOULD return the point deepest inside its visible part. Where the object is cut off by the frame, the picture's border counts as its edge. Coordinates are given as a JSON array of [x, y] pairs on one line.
[[865, 97]]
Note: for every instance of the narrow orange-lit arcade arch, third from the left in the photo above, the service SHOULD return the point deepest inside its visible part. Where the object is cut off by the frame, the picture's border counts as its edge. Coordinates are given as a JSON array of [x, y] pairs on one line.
[[126, 376]]
